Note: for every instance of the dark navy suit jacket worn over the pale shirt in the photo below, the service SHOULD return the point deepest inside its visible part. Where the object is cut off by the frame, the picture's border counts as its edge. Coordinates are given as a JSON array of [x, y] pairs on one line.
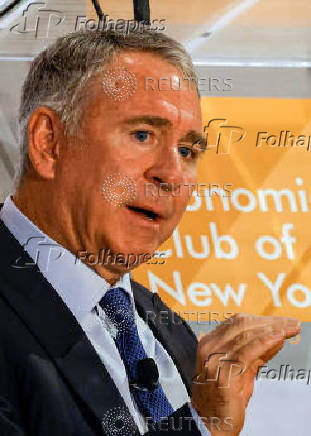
[[52, 382]]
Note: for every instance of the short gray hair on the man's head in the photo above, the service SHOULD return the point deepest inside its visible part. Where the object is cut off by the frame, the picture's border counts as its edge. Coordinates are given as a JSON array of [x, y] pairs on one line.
[[58, 75]]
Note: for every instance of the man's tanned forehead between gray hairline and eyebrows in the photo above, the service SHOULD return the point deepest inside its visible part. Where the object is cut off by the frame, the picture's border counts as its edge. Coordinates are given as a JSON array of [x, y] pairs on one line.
[[122, 90]]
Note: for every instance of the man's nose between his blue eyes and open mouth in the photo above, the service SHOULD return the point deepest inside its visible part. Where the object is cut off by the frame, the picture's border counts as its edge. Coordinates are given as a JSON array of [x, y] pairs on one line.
[[167, 171]]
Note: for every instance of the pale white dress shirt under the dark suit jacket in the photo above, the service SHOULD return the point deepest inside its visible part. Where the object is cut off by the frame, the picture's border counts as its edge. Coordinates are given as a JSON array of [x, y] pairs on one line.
[[81, 289]]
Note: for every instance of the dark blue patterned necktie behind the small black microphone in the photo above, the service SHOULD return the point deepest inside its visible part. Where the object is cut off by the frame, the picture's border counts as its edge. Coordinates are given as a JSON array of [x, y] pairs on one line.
[[117, 306]]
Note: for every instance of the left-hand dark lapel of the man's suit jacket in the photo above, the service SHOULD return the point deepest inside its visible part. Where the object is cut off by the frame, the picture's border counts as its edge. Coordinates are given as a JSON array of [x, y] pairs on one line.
[[52, 324]]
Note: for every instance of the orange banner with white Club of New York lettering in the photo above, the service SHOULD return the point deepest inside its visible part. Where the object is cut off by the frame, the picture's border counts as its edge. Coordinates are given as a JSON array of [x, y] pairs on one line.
[[244, 243]]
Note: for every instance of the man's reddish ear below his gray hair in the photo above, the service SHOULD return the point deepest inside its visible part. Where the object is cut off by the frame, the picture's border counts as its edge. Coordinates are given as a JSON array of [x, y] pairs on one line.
[[45, 136]]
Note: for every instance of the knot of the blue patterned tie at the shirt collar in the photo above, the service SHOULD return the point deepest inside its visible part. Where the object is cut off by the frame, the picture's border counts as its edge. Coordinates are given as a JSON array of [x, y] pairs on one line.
[[117, 305]]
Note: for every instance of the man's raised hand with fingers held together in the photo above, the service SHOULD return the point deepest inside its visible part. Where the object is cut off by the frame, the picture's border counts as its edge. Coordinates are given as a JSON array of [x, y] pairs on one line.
[[229, 358]]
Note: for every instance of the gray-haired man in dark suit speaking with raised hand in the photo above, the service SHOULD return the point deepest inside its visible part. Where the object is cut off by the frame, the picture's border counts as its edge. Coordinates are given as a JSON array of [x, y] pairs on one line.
[[85, 350]]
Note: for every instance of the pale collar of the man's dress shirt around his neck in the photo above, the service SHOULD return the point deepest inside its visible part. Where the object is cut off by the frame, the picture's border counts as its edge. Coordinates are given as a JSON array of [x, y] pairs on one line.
[[80, 287]]
